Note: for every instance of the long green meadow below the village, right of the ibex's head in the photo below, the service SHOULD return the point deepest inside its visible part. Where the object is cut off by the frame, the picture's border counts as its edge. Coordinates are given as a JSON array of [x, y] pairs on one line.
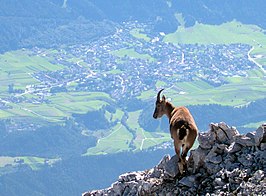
[[239, 91]]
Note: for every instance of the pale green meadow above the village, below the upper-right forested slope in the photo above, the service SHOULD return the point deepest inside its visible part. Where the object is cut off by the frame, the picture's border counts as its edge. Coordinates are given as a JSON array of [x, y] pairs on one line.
[[226, 33]]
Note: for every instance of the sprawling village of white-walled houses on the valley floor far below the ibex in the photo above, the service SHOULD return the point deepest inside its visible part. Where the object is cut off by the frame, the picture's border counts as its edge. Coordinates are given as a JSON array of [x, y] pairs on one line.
[[124, 65]]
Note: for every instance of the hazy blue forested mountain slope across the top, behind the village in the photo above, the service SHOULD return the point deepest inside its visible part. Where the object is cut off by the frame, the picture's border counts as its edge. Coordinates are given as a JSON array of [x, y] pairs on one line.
[[50, 23]]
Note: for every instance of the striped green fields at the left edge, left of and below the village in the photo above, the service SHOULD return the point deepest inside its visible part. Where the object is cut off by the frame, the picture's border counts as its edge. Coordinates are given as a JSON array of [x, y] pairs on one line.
[[17, 67]]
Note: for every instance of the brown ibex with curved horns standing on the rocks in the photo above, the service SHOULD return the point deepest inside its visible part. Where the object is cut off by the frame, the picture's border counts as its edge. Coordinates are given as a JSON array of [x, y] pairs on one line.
[[182, 127]]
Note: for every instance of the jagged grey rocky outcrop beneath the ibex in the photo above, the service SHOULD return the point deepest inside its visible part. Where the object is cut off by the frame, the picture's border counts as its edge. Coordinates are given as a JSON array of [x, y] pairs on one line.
[[225, 162]]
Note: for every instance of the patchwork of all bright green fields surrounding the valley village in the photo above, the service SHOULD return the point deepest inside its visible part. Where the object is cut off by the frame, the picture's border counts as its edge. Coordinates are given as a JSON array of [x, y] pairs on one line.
[[17, 69]]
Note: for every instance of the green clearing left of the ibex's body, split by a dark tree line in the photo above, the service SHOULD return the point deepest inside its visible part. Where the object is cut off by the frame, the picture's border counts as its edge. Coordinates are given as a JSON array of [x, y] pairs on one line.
[[119, 138]]
